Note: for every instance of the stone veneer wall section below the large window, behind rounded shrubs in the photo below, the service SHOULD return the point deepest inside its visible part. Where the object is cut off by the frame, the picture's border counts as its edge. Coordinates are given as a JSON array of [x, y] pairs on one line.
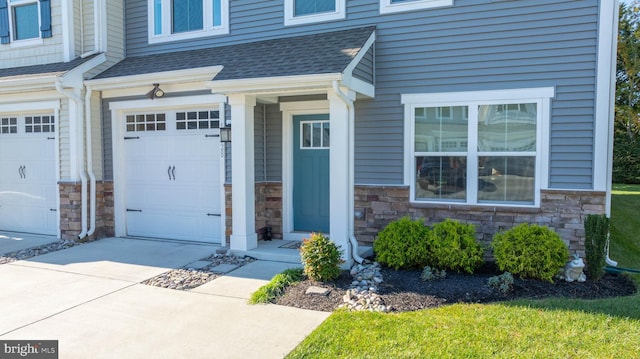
[[563, 211]]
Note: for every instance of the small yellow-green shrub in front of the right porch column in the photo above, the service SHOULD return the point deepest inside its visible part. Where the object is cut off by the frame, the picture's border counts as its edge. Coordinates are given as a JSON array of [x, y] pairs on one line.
[[320, 257]]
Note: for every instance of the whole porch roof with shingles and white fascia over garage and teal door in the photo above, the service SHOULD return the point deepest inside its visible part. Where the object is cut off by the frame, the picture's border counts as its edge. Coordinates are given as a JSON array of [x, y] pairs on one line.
[[299, 64]]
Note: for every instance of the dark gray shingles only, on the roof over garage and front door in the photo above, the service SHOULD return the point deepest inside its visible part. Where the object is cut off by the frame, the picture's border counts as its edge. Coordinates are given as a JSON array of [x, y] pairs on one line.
[[329, 52]]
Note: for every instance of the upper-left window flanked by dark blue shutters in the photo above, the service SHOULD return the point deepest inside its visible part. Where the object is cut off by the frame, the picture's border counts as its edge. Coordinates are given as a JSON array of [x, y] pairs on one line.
[[23, 22]]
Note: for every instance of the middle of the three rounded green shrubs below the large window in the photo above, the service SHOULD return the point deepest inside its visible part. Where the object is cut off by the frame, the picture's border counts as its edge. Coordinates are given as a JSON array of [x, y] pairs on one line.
[[452, 245]]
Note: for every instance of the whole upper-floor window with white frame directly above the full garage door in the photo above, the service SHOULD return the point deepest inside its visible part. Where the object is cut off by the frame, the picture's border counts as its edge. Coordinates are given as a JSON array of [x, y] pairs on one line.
[[171, 20]]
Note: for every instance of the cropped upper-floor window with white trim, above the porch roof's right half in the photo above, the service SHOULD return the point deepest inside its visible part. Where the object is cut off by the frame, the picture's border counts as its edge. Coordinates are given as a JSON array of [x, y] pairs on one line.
[[309, 11]]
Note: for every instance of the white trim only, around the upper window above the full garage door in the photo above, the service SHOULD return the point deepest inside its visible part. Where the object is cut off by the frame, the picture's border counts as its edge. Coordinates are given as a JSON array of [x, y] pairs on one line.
[[208, 28]]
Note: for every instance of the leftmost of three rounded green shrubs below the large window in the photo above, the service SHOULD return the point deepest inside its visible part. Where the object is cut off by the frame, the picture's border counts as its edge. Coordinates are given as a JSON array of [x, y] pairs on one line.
[[402, 244]]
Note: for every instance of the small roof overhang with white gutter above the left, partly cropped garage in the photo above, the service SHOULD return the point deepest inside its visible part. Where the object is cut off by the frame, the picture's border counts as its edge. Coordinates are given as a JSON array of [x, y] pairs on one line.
[[44, 77]]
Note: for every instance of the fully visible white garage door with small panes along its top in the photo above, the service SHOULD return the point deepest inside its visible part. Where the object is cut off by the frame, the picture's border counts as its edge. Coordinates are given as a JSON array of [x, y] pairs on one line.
[[173, 175]]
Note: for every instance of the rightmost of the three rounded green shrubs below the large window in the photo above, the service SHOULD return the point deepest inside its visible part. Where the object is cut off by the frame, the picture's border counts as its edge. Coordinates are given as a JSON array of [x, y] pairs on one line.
[[530, 251]]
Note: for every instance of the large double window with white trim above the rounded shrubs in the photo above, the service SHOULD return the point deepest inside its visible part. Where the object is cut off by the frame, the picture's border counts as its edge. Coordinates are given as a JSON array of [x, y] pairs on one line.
[[484, 147]]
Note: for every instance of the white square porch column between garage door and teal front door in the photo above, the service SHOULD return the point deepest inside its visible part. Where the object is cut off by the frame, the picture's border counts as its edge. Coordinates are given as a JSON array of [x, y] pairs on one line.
[[244, 236]]
